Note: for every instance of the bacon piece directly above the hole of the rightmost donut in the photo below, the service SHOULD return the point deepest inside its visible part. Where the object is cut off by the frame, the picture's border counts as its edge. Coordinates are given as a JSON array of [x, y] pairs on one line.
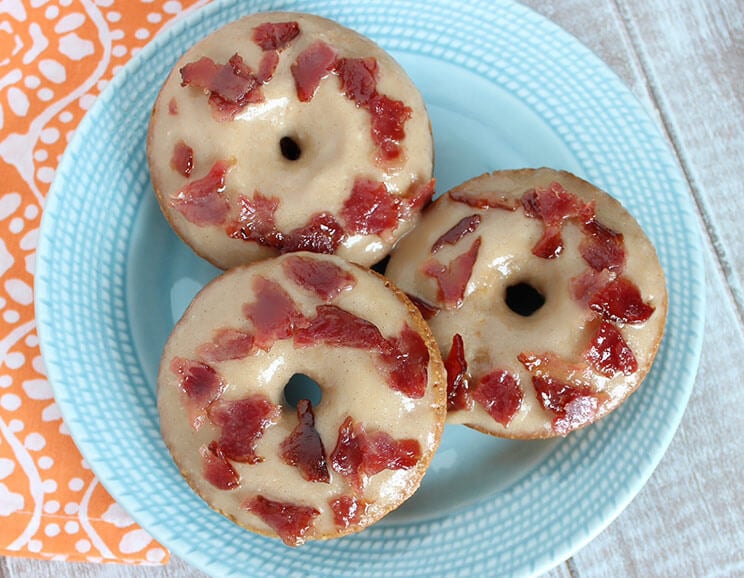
[[553, 206]]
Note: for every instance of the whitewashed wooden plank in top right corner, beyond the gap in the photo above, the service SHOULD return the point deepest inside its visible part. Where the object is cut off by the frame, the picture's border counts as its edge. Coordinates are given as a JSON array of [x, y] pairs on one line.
[[693, 55]]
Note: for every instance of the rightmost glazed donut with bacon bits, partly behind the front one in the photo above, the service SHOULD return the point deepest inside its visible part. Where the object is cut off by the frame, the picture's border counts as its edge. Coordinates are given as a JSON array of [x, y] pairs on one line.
[[546, 298]]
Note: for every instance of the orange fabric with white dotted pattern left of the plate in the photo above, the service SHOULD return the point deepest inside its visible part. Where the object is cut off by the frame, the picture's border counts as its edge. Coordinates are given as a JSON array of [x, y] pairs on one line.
[[56, 56]]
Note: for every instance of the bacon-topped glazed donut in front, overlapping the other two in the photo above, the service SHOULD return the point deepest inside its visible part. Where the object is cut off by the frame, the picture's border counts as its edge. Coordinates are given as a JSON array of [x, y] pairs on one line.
[[317, 470]]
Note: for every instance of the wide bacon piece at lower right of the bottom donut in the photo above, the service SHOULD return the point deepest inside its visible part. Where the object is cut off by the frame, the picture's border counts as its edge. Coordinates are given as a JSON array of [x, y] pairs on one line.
[[360, 454]]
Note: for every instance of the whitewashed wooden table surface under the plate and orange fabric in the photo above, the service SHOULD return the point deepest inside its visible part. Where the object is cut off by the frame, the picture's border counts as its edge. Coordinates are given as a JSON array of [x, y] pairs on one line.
[[684, 59]]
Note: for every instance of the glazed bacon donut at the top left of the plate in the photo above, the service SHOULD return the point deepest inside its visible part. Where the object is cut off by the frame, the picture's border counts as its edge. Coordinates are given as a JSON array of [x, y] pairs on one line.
[[283, 132]]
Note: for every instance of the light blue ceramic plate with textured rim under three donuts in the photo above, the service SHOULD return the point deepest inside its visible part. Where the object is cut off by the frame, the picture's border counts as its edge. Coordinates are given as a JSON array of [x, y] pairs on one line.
[[506, 89]]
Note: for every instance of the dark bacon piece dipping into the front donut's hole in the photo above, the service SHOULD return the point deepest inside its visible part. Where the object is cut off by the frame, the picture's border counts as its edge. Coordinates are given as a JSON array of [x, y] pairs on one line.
[[304, 448]]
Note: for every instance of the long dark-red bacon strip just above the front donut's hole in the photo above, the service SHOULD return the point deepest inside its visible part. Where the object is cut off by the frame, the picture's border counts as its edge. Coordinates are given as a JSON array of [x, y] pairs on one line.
[[338, 328]]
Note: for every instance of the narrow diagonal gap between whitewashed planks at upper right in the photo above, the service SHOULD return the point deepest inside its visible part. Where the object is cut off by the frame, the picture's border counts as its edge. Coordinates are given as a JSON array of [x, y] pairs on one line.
[[733, 288]]
